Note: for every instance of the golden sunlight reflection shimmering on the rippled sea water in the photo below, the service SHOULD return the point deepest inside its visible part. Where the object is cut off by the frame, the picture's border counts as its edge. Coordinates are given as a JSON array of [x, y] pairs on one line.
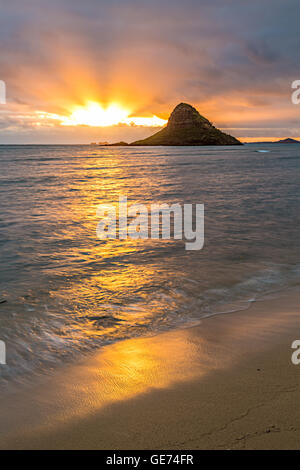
[[107, 281]]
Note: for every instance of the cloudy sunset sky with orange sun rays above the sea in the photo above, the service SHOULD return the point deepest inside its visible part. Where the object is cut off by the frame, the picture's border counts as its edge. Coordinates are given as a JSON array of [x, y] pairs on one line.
[[68, 65]]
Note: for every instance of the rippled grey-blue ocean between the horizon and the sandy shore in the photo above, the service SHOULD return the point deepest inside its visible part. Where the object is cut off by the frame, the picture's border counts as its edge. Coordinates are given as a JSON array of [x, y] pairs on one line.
[[66, 292]]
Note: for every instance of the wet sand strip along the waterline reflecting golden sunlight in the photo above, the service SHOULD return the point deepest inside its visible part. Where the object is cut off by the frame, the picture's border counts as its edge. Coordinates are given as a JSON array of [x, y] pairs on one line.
[[128, 369]]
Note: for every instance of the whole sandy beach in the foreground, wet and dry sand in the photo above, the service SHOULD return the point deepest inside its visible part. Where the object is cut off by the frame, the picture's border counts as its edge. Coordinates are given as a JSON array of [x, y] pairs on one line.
[[226, 384]]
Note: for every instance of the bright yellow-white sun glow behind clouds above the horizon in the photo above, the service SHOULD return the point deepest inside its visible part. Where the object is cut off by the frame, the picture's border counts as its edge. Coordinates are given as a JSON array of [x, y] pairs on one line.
[[94, 115]]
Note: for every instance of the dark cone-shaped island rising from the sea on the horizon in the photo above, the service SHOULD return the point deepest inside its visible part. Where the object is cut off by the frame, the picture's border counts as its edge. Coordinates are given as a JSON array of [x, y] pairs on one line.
[[187, 127]]
